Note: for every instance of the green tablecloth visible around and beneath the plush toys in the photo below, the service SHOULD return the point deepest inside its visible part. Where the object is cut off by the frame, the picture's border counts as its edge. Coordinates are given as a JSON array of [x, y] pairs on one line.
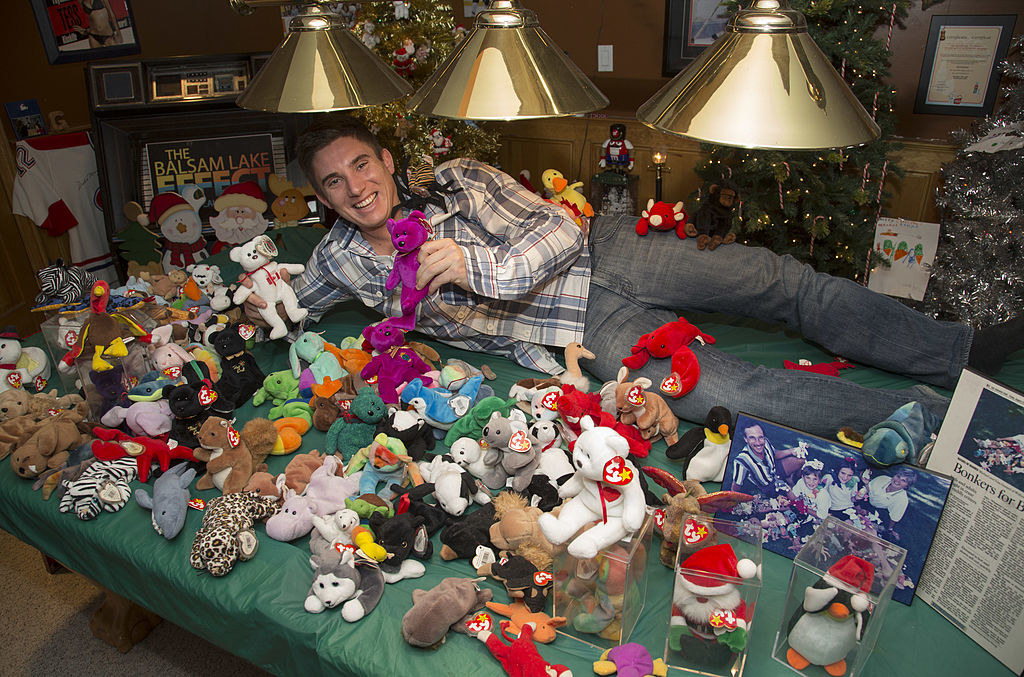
[[257, 612]]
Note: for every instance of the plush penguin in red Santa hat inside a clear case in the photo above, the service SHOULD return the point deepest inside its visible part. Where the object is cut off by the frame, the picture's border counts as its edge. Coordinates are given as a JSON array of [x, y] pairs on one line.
[[832, 620]]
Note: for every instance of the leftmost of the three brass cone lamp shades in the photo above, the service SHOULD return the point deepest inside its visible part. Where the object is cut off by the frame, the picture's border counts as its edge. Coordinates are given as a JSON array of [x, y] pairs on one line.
[[321, 66]]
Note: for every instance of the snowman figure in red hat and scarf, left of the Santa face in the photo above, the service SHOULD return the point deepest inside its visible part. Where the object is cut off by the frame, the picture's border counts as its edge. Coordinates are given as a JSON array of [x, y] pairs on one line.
[[181, 227]]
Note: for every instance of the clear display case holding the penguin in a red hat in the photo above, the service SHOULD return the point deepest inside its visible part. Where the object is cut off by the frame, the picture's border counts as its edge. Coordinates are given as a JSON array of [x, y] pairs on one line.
[[842, 583]]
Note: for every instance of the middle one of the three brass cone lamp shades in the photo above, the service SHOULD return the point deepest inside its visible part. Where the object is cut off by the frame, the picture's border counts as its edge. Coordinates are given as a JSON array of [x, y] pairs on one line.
[[507, 69]]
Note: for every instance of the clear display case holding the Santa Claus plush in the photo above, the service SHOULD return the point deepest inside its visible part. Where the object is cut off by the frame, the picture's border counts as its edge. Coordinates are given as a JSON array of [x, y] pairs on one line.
[[715, 589]]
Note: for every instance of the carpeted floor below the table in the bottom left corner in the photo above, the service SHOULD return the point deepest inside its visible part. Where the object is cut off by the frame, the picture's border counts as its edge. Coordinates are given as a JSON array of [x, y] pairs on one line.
[[45, 629]]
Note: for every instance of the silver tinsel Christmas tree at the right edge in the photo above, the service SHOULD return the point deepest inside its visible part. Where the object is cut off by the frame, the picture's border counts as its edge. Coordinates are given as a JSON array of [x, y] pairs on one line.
[[978, 277]]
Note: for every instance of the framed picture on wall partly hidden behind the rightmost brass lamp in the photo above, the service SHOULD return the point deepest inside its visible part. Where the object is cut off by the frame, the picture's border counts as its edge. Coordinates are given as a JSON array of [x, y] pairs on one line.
[[690, 27]]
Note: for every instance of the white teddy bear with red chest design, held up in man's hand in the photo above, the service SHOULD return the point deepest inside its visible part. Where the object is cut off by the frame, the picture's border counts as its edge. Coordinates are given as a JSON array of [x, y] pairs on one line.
[[257, 259]]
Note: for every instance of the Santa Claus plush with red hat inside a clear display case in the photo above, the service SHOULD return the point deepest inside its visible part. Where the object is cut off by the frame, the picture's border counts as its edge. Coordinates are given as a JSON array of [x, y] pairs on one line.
[[710, 618]]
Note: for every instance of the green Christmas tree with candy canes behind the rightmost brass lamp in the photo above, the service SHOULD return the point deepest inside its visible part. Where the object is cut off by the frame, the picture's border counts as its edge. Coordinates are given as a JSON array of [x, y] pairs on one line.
[[822, 206]]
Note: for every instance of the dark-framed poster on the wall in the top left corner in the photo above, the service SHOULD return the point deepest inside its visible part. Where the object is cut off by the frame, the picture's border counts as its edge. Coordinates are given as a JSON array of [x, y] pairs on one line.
[[83, 30]]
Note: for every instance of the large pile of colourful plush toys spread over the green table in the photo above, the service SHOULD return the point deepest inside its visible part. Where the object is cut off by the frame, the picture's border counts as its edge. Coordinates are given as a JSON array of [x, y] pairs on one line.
[[525, 488]]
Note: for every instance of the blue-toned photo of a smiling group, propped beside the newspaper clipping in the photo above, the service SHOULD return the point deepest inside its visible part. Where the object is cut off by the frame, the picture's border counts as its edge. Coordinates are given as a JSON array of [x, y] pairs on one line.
[[799, 480]]
